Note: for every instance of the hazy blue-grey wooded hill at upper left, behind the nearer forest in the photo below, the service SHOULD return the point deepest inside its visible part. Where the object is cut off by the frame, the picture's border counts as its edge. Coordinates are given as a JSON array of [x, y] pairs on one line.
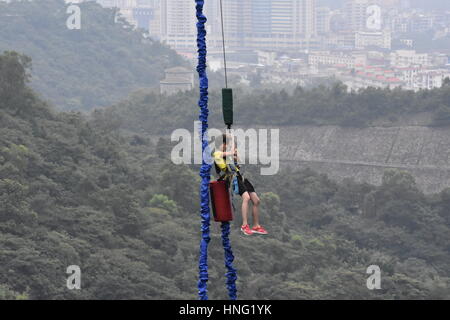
[[81, 69]]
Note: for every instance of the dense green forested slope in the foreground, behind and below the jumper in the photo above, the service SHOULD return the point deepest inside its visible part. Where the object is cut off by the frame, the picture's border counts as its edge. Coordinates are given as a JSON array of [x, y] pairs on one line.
[[76, 191]]
